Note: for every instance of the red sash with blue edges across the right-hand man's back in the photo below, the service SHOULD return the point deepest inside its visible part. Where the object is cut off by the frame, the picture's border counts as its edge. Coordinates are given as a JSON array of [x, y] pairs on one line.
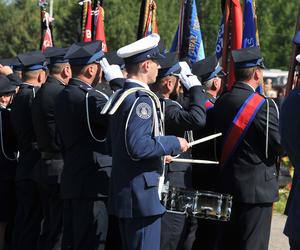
[[240, 125]]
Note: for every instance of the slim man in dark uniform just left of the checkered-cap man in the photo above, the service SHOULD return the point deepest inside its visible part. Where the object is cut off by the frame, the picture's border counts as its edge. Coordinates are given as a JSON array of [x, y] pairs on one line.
[[51, 164]]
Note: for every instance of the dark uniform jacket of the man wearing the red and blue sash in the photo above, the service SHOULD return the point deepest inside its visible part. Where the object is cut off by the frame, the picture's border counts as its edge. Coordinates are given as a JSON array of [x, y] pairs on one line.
[[249, 176]]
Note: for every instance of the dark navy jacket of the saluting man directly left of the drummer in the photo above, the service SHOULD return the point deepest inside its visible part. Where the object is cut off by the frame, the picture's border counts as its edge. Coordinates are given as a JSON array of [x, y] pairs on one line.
[[86, 166]]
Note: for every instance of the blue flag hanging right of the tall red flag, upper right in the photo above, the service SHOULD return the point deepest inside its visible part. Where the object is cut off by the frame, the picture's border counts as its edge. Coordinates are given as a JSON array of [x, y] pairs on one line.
[[249, 33]]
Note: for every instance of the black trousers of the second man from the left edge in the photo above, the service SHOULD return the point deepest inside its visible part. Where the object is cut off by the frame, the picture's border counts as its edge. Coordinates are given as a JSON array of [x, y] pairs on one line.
[[28, 216]]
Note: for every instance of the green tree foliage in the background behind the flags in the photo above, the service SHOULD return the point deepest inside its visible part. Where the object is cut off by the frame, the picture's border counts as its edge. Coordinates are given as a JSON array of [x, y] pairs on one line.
[[20, 29]]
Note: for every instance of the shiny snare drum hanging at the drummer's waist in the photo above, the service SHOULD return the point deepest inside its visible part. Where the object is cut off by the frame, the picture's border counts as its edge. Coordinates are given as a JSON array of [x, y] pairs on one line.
[[200, 204]]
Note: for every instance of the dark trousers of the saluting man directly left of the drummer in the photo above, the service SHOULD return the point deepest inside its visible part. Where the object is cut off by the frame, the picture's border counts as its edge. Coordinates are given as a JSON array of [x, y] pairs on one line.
[[85, 223]]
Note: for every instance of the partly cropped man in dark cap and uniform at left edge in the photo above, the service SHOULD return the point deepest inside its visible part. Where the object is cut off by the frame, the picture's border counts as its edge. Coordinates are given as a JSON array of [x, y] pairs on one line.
[[8, 162]]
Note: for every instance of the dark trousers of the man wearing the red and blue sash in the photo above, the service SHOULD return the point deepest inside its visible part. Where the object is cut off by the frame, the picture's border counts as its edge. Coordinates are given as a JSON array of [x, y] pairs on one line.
[[248, 228]]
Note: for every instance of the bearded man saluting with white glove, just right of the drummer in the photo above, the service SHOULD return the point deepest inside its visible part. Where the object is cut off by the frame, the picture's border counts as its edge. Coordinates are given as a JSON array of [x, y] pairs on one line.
[[177, 228]]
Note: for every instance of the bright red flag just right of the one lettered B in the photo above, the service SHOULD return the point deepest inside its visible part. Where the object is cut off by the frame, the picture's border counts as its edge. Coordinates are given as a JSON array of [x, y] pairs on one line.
[[99, 26]]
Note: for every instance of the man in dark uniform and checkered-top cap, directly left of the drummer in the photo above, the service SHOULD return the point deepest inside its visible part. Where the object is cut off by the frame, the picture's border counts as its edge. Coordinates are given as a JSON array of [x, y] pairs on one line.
[[85, 177]]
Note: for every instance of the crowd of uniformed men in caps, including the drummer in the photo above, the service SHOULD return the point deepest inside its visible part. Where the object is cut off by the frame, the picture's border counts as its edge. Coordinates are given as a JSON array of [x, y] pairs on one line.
[[80, 170]]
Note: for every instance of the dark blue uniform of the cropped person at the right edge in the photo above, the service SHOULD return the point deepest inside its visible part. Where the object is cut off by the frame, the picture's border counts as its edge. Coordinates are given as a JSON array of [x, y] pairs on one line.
[[289, 131]]
